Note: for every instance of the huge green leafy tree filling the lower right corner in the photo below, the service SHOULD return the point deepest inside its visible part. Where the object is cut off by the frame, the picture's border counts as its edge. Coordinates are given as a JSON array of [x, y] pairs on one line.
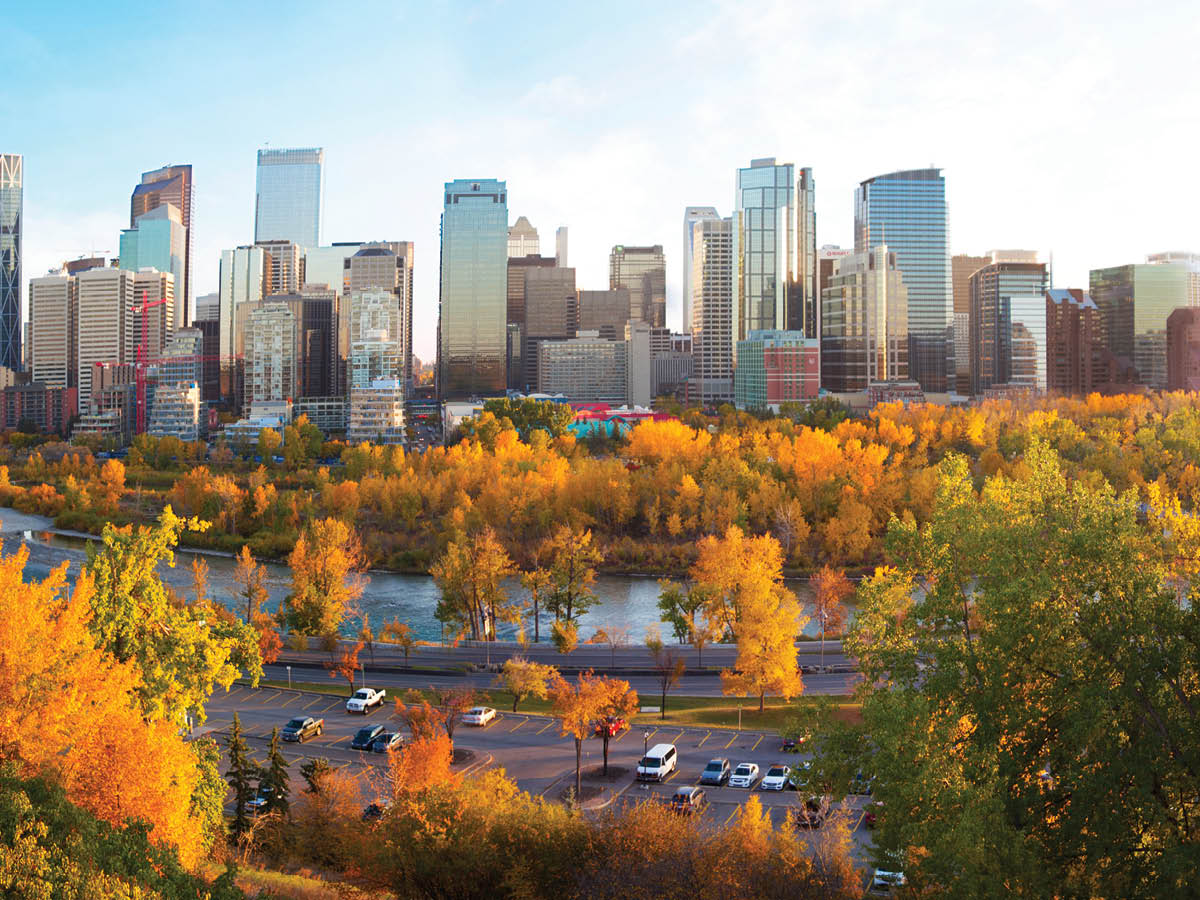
[[1033, 709]]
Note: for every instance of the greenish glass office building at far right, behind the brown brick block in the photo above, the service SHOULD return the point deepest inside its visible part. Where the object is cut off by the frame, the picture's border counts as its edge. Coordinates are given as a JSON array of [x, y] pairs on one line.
[[1136, 302]]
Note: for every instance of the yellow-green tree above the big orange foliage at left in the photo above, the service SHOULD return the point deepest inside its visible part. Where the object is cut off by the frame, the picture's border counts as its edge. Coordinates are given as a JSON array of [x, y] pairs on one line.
[[183, 652]]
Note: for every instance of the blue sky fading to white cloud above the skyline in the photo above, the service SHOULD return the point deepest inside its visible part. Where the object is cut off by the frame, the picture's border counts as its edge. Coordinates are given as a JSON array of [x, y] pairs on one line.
[[1064, 127]]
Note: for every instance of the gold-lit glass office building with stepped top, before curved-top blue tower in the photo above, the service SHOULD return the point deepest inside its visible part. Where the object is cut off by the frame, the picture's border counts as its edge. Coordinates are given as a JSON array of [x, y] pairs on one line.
[[865, 328]]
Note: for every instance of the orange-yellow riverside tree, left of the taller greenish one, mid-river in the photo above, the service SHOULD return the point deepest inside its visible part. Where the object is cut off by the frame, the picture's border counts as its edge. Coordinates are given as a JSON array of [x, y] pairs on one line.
[[470, 575]]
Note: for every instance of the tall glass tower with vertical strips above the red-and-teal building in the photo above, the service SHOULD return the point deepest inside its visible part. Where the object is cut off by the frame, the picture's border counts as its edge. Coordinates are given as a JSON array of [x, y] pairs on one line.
[[764, 245]]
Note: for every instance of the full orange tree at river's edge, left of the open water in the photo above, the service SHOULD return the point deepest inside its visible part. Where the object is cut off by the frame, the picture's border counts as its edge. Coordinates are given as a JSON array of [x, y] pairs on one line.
[[327, 566]]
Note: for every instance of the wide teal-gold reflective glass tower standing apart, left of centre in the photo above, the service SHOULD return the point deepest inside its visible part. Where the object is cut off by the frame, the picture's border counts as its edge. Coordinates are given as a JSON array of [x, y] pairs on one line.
[[473, 297]]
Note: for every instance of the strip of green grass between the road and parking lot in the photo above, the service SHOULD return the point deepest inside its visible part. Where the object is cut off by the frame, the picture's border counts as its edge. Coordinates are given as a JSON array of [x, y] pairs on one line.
[[691, 712]]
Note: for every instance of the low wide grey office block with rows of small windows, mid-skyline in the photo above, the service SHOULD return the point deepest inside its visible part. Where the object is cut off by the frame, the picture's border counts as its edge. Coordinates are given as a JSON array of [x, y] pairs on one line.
[[585, 369]]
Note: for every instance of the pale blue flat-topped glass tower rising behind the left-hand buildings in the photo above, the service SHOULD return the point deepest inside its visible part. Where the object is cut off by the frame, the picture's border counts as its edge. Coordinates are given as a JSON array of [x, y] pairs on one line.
[[290, 196]]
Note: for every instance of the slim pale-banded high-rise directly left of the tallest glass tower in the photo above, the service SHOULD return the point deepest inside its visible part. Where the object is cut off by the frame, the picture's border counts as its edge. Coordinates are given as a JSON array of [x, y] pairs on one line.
[[713, 315]]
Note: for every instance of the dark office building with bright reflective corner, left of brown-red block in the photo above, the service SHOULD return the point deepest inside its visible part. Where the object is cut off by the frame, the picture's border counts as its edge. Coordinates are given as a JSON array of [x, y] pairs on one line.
[[1009, 323]]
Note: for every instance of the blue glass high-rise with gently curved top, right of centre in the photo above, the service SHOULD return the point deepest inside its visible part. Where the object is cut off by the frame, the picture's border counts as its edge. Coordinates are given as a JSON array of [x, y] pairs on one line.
[[908, 212]]
